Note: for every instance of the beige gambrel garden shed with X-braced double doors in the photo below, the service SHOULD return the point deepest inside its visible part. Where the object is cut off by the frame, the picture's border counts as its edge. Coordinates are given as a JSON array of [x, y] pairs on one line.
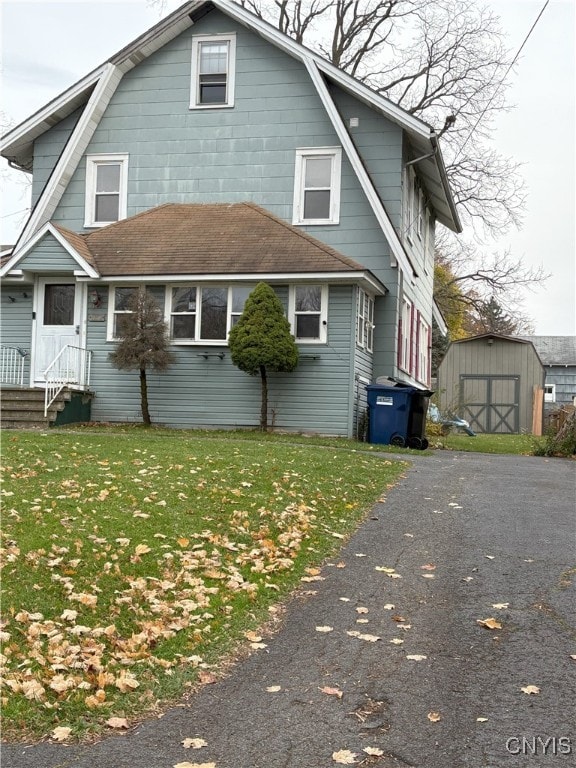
[[494, 382]]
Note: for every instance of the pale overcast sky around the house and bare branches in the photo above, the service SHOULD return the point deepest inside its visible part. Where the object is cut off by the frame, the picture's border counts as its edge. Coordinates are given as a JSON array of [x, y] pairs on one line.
[[47, 46]]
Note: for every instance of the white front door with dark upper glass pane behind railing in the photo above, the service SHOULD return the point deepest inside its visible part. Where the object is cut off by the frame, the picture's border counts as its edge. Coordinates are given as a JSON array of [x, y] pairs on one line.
[[57, 321]]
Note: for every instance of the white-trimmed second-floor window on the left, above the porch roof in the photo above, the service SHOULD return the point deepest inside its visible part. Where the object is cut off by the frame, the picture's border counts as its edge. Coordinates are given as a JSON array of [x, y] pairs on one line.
[[106, 189]]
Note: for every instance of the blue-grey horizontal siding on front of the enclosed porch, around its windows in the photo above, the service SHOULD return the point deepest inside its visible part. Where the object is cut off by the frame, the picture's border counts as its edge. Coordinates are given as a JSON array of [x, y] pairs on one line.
[[199, 392]]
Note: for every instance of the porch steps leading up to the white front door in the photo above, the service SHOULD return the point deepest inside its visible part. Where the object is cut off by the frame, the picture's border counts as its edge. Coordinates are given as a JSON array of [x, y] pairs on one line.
[[23, 408]]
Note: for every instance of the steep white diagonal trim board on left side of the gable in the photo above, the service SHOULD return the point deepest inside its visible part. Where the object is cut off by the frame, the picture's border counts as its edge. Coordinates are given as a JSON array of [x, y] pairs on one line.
[[74, 150]]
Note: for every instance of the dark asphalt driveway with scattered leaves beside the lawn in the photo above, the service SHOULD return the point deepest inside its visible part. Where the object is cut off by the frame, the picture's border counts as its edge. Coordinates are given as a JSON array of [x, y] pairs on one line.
[[387, 653]]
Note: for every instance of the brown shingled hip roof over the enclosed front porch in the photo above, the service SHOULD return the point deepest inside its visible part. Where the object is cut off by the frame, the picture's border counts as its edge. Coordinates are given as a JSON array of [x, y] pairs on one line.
[[204, 239]]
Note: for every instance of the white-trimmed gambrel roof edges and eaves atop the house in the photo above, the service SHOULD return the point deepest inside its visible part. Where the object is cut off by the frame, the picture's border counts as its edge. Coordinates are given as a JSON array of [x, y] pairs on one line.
[[92, 94]]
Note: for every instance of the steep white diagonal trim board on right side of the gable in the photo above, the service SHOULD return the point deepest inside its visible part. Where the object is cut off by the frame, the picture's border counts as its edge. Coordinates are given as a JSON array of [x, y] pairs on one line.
[[396, 246]]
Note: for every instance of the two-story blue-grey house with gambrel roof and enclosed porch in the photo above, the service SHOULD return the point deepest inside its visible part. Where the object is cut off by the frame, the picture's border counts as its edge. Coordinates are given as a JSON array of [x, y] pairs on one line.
[[212, 153]]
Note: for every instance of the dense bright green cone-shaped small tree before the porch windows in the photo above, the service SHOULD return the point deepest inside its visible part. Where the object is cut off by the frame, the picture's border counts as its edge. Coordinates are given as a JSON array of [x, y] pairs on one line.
[[261, 341]]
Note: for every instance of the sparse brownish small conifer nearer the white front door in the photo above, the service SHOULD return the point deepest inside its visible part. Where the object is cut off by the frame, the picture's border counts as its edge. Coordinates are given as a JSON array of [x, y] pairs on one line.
[[143, 344]]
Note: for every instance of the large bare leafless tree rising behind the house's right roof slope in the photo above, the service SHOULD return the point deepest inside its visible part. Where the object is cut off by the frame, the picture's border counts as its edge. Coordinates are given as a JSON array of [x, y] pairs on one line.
[[444, 61]]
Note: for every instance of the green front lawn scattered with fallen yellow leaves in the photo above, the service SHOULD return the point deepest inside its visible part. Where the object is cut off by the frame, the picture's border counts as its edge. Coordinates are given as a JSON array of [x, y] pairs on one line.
[[135, 561]]
